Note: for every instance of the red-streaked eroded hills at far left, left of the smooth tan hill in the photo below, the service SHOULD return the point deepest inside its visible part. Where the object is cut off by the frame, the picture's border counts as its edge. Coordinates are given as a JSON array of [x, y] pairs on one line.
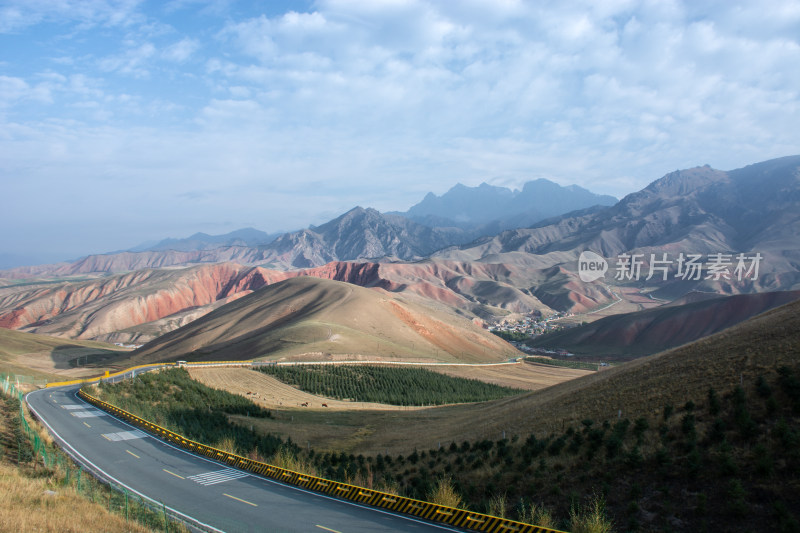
[[97, 308]]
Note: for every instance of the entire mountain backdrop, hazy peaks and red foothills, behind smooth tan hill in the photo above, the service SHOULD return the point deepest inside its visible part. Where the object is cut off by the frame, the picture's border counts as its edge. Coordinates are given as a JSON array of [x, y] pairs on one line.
[[138, 296]]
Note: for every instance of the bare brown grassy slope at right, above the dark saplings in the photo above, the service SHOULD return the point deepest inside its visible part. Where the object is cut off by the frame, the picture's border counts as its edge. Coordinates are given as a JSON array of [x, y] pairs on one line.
[[639, 388]]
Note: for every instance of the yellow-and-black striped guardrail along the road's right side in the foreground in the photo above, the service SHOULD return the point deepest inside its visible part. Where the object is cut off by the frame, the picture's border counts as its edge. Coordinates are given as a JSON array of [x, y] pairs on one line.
[[425, 510]]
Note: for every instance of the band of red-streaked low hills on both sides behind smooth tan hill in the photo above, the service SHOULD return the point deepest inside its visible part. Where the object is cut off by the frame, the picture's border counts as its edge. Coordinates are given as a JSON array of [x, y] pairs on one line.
[[140, 306]]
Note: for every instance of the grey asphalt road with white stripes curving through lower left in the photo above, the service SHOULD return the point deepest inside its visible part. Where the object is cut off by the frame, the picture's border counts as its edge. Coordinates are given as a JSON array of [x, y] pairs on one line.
[[211, 493]]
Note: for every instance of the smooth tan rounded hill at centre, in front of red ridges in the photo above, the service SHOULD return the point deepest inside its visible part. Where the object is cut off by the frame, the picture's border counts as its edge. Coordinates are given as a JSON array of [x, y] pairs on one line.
[[321, 319]]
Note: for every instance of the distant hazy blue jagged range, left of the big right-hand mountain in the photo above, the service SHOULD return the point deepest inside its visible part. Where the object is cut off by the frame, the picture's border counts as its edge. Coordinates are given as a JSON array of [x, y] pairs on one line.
[[356, 235]]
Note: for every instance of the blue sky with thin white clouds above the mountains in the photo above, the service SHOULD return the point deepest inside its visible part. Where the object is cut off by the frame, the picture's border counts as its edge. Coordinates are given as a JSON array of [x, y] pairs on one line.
[[130, 121]]
